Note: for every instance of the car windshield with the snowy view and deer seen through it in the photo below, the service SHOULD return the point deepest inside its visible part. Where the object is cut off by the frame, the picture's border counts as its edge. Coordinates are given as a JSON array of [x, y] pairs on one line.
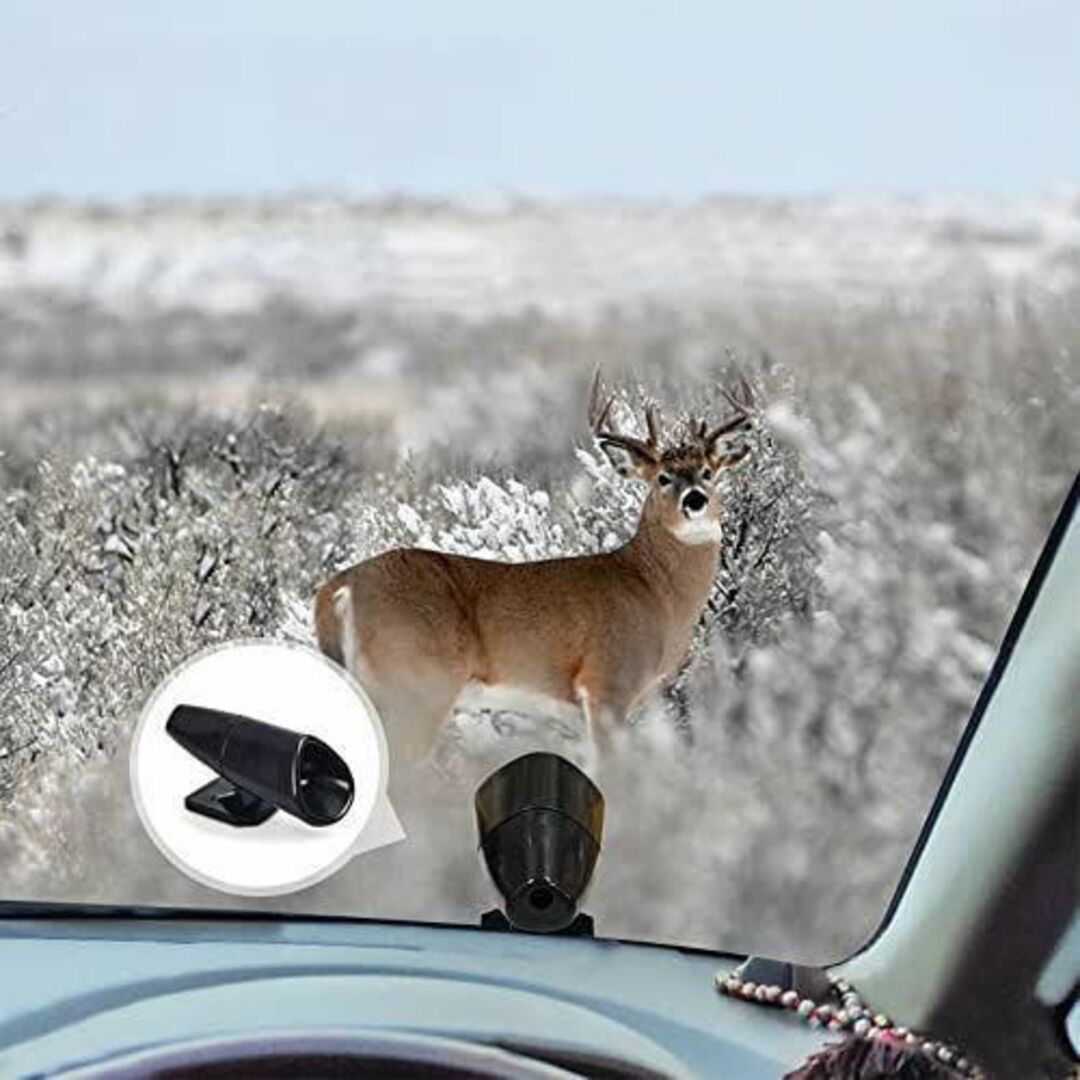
[[282, 292]]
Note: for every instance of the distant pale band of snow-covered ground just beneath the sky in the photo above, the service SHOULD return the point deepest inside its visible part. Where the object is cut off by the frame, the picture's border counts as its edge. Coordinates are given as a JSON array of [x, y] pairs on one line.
[[505, 258]]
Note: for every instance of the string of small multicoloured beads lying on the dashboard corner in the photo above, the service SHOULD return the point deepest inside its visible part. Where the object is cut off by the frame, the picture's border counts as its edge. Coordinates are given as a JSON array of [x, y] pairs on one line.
[[850, 1016]]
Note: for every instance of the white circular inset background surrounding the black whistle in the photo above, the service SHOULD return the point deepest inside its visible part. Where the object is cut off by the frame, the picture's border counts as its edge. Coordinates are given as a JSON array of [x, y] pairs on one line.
[[288, 686]]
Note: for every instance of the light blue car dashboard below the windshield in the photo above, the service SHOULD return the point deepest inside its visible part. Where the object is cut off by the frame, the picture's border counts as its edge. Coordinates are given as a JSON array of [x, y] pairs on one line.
[[215, 996]]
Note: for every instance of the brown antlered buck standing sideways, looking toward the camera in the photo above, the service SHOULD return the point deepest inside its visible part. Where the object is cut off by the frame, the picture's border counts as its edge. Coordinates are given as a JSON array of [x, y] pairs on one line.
[[426, 632]]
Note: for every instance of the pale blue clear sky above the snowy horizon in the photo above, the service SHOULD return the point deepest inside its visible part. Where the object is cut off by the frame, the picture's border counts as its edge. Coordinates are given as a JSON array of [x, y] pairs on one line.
[[120, 99]]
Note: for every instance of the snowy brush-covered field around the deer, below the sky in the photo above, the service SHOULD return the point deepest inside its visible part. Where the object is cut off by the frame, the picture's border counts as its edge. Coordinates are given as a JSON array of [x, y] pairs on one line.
[[207, 409]]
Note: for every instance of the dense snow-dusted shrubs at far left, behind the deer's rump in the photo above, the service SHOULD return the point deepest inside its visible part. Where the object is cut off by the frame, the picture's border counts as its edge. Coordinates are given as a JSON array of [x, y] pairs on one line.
[[114, 573]]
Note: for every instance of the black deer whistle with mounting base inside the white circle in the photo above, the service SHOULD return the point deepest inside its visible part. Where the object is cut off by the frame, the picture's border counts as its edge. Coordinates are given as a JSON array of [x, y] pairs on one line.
[[262, 768]]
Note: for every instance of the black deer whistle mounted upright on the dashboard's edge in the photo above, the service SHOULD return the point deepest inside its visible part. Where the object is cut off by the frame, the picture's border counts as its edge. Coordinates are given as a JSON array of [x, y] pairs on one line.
[[541, 822]]
